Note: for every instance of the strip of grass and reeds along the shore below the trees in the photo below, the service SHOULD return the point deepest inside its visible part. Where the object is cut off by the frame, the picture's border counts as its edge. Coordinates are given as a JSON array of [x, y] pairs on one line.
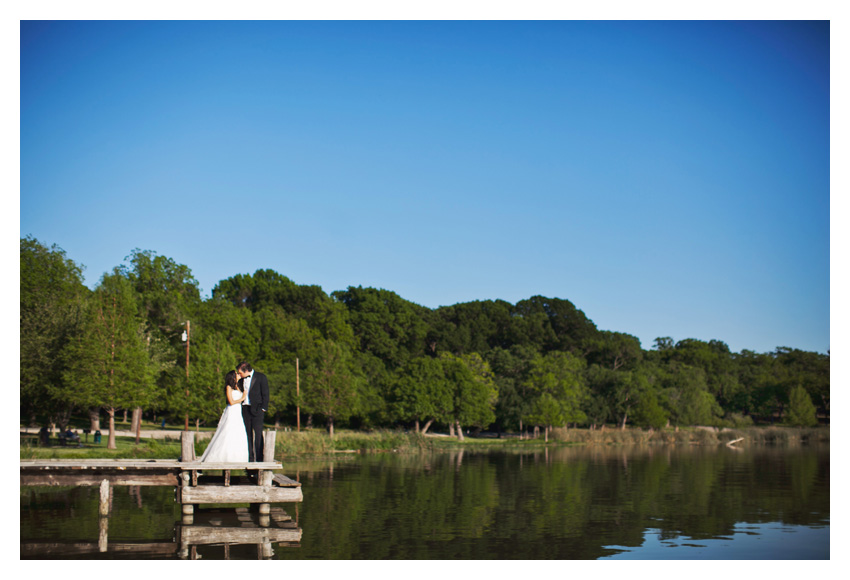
[[317, 442]]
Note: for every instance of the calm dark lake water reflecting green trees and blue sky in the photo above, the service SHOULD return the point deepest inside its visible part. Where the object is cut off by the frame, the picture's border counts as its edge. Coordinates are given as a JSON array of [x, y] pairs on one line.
[[665, 502]]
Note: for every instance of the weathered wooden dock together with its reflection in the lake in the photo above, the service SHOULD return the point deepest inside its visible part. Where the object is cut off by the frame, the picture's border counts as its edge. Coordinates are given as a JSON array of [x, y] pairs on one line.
[[196, 484]]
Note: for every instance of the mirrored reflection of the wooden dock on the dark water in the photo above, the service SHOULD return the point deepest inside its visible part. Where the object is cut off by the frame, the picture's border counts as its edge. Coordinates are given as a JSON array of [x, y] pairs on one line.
[[224, 527]]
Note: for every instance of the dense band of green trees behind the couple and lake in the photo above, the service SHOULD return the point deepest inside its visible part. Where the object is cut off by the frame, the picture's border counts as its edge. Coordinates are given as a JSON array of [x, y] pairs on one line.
[[368, 358]]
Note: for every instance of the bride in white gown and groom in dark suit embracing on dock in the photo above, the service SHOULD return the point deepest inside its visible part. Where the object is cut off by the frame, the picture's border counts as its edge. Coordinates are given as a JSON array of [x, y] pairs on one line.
[[239, 436]]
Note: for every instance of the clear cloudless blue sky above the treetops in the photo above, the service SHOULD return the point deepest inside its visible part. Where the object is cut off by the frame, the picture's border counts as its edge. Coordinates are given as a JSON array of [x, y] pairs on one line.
[[668, 178]]
